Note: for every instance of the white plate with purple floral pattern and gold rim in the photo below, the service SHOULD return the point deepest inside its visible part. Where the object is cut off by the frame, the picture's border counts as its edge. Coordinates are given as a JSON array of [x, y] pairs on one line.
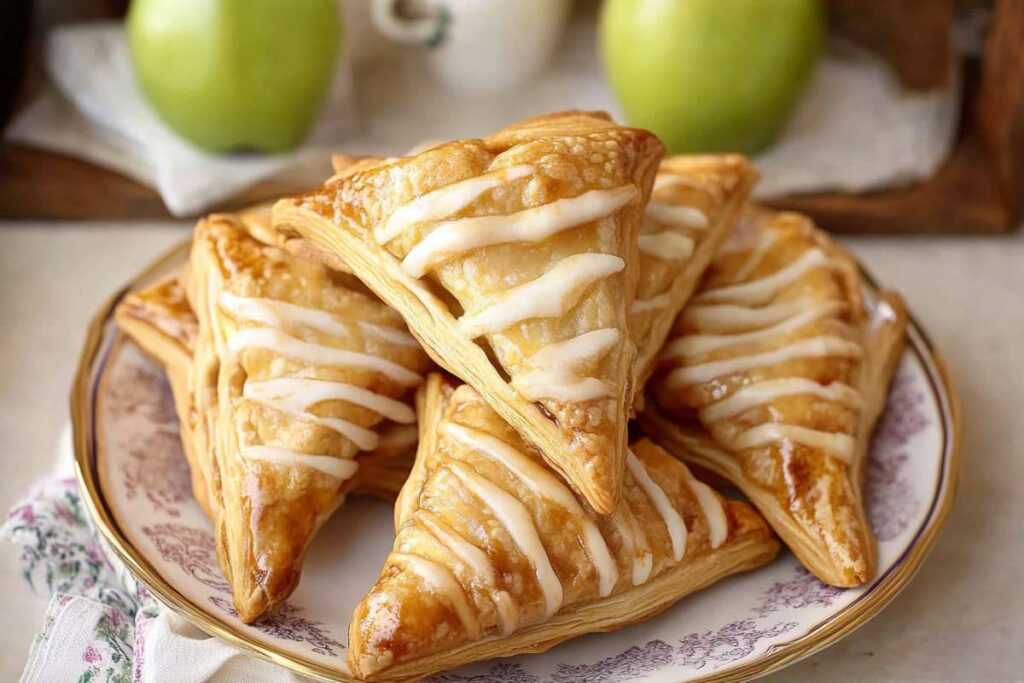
[[137, 487]]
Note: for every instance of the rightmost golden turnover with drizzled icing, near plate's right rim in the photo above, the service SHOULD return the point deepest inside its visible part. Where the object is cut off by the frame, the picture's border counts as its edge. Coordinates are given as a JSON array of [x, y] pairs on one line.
[[787, 370]]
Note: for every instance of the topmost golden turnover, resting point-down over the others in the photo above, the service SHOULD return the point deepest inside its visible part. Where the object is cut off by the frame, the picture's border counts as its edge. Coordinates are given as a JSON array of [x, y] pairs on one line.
[[514, 260]]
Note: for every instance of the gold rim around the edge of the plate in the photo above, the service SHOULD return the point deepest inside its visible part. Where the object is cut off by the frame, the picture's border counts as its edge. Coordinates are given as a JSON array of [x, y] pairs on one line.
[[780, 656]]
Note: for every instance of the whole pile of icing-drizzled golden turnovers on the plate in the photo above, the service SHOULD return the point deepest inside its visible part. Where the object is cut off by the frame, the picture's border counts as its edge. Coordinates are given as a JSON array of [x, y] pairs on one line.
[[569, 279]]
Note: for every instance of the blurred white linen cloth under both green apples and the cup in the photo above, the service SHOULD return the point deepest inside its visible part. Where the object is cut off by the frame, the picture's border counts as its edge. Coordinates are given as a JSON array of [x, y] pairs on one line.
[[856, 130]]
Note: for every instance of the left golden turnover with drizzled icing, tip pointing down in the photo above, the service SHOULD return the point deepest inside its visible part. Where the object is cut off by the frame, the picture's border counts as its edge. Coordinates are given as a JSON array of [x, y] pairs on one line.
[[293, 375]]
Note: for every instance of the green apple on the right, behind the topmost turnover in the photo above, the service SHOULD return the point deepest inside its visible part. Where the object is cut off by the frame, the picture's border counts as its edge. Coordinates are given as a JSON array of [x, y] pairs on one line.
[[711, 75]]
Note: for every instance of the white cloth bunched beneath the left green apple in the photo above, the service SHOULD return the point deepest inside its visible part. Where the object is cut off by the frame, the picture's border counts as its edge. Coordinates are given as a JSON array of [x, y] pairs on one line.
[[102, 116]]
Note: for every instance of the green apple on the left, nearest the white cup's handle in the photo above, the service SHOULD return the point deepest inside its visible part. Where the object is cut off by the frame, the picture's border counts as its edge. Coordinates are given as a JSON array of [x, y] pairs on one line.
[[234, 75]]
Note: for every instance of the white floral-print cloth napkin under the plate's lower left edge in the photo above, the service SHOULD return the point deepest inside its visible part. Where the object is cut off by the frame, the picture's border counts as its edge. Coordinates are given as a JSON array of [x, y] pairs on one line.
[[101, 624]]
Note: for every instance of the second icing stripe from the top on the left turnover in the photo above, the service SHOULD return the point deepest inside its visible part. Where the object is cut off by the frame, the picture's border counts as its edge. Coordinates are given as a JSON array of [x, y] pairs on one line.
[[276, 340]]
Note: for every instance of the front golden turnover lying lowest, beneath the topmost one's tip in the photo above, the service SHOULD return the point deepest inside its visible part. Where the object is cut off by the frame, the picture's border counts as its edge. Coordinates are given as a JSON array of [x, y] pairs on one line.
[[496, 557]]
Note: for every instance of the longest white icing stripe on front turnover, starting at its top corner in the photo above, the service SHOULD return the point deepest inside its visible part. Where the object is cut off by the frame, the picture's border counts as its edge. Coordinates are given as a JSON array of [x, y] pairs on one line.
[[546, 486]]
